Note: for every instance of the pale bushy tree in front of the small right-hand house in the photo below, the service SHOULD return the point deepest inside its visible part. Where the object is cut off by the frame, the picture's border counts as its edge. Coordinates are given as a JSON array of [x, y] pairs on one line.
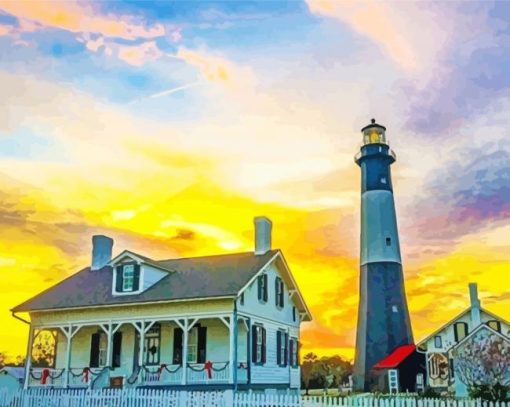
[[483, 364]]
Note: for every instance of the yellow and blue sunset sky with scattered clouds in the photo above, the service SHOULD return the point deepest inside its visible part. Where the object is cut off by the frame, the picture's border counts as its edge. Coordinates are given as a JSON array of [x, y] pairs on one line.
[[169, 125]]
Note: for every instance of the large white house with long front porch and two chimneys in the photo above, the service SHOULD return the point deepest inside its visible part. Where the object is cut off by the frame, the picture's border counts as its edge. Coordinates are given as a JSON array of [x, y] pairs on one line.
[[217, 322]]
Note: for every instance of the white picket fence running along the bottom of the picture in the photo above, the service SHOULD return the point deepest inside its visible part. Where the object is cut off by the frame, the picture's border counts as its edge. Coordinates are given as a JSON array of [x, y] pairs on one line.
[[168, 398]]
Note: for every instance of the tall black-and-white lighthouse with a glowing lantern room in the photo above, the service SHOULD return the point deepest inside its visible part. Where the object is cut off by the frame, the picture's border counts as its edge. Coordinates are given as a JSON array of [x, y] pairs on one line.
[[383, 317]]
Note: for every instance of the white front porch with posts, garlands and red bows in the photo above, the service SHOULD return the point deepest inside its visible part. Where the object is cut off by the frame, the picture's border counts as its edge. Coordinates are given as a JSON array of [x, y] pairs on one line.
[[163, 352]]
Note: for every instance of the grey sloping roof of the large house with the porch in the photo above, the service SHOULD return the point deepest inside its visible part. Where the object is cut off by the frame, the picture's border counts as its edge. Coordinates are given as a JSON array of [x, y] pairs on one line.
[[188, 278]]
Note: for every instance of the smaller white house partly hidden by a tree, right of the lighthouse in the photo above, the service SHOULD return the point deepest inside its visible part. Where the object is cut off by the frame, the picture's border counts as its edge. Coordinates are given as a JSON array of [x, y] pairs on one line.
[[475, 326]]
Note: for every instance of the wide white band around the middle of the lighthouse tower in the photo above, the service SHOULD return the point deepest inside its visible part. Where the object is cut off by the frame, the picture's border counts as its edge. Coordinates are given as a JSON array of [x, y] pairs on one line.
[[379, 236]]
